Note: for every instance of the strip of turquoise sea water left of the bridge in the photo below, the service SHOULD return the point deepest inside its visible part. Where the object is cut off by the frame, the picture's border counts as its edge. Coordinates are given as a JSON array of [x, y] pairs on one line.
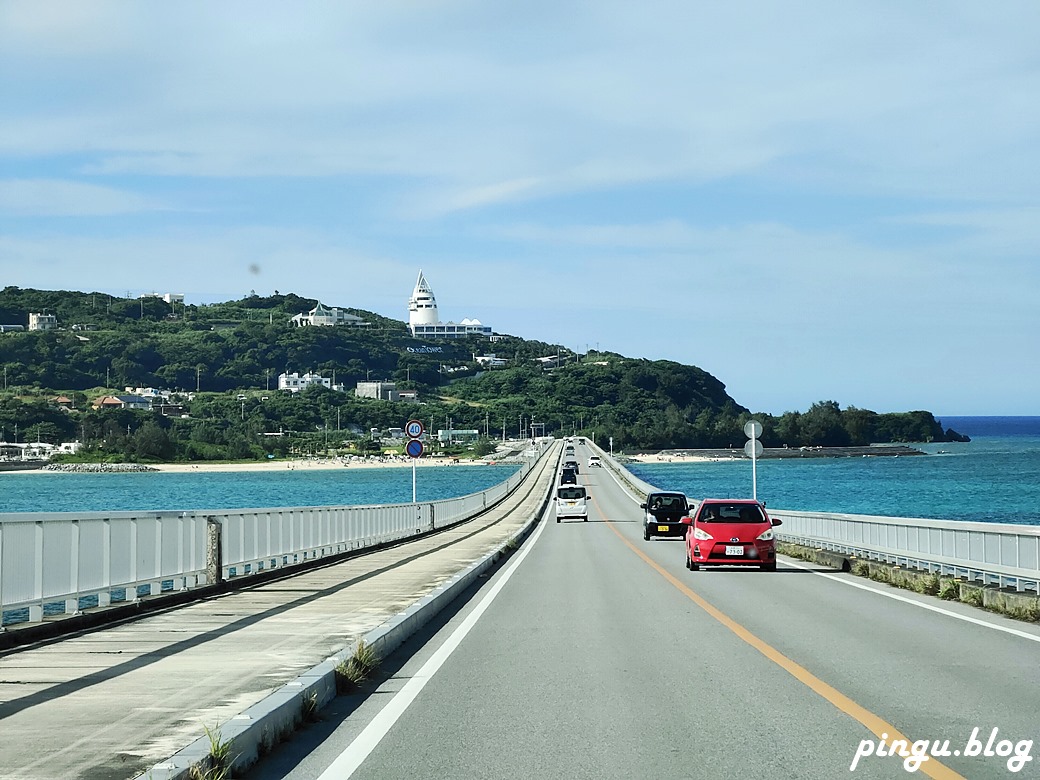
[[230, 490]]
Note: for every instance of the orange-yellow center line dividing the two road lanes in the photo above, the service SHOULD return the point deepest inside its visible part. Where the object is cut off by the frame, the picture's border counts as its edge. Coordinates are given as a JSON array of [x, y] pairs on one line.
[[880, 727]]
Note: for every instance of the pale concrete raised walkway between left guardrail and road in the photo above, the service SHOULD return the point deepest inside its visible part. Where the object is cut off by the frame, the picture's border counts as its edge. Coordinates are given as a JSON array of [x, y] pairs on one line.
[[112, 704]]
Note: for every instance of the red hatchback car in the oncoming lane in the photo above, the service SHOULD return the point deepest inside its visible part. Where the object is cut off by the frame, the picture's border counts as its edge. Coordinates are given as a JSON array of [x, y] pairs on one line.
[[731, 532]]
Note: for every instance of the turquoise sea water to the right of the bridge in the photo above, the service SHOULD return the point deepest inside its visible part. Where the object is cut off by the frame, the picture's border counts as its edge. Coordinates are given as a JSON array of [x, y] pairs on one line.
[[996, 478]]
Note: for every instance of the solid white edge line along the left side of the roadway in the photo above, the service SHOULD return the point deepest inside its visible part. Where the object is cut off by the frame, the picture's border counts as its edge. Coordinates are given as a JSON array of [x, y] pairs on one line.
[[355, 755]]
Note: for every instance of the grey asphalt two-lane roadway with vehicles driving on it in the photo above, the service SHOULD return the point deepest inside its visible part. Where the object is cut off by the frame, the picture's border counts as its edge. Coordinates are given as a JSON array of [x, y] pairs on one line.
[[602, 657]]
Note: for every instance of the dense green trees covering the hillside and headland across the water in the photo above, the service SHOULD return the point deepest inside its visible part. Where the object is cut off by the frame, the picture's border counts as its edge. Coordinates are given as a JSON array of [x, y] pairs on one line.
[[223, 362]]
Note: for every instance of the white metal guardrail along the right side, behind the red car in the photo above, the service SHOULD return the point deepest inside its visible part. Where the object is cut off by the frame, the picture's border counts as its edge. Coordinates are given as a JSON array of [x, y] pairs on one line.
[[1004, 555]]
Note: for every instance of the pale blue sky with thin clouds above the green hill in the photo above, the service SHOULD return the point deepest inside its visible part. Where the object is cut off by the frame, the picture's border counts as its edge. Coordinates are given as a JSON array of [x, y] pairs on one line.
[[811, 201]]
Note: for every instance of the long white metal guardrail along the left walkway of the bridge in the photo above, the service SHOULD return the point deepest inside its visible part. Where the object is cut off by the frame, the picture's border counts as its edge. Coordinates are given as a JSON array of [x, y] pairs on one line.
[[55, 563]]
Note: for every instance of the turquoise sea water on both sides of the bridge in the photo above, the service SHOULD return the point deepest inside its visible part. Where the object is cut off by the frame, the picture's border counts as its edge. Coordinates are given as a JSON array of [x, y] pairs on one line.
[[996, 478]]
